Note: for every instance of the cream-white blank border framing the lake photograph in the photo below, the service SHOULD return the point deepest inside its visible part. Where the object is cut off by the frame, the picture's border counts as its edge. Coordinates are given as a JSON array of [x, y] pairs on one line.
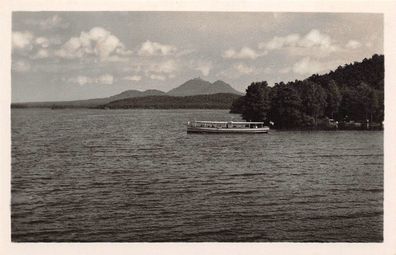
[[386, 7]]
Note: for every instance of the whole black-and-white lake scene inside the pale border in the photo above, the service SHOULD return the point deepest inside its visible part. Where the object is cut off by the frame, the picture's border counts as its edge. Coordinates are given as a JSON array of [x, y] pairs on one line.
[[183, 126]]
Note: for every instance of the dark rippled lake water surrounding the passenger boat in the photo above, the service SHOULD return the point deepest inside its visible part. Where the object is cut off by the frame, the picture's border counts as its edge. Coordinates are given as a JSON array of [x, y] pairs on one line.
[[136, 175]]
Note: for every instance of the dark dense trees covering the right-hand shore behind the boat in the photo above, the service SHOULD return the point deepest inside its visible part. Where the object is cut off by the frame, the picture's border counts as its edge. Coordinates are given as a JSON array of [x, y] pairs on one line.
[[353, 92]]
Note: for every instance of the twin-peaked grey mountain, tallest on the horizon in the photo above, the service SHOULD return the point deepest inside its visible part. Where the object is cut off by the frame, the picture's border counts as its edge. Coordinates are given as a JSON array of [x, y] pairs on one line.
[[199, 86]]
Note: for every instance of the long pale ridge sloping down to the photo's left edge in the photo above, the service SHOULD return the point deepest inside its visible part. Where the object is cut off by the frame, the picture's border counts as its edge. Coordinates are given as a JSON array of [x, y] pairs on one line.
[[91, 103]]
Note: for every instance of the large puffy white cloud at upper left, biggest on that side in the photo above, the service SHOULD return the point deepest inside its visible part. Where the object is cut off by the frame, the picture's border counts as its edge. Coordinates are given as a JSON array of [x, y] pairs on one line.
[[98, 42]]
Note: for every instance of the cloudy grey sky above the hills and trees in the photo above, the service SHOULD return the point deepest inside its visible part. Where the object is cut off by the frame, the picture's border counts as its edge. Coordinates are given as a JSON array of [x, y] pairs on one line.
[[79, 55]]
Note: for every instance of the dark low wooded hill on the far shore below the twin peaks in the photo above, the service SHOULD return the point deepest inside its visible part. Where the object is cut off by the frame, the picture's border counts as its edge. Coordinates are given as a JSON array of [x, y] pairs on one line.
[[214, 101]]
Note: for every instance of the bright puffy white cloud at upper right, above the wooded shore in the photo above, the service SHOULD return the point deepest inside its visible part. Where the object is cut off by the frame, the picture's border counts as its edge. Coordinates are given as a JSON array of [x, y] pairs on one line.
[[313, 43]]
